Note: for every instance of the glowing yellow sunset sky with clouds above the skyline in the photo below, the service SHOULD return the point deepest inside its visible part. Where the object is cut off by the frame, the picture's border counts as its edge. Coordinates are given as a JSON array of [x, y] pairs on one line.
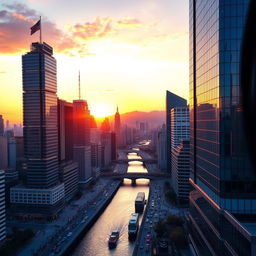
[[128, 52]]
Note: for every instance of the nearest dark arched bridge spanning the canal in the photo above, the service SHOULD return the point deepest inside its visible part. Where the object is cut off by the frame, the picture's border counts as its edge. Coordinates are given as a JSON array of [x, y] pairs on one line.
[[136, 175]]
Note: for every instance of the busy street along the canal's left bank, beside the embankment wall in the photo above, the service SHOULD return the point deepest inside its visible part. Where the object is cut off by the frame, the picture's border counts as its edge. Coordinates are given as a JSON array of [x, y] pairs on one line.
[[53, 236]]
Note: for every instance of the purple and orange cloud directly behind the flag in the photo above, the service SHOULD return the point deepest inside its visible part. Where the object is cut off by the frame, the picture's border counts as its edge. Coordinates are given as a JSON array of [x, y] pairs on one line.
[[15, 23]]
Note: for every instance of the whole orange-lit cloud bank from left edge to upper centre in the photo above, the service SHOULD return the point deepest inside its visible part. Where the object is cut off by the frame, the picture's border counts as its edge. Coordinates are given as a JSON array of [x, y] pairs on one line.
[[16, 20]]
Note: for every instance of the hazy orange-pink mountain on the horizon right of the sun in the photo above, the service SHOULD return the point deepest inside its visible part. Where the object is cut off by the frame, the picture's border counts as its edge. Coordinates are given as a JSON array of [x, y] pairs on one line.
[[154, 118]]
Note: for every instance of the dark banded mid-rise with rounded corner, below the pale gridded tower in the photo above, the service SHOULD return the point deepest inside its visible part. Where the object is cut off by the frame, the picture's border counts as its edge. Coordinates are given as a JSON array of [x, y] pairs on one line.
[[180, 171]]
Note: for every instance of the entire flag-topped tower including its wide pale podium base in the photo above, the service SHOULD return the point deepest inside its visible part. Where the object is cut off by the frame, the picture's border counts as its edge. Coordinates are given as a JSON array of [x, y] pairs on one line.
[[43, 192]]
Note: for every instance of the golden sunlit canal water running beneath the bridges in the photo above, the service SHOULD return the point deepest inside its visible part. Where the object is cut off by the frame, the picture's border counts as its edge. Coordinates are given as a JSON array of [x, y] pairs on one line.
[[115, 217]]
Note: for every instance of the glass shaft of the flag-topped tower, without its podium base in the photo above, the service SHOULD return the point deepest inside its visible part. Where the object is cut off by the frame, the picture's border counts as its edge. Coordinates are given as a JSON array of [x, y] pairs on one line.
[[40, 116]]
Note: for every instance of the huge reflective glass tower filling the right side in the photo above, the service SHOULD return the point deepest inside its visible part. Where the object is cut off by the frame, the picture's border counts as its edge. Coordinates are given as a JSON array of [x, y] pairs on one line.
[[223, 198]]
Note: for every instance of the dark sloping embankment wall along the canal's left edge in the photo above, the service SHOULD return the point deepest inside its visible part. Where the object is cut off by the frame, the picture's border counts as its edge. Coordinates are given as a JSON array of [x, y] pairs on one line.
[[84, 228]]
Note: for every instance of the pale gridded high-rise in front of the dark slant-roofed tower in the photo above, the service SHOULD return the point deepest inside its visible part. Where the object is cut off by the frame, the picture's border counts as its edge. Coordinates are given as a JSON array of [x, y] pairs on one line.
[[179, 125]]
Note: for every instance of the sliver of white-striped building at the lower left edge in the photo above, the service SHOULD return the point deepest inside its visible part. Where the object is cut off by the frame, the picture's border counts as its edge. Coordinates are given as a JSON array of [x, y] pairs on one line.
[[2, 207]]
